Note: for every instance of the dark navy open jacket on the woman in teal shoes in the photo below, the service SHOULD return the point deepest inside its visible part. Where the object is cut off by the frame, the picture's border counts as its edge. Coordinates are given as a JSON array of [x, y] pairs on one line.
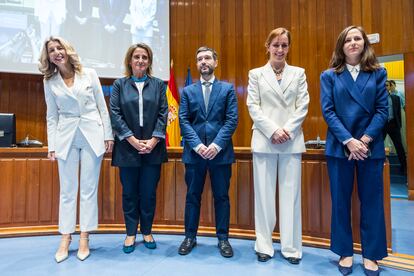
[[125, 121]]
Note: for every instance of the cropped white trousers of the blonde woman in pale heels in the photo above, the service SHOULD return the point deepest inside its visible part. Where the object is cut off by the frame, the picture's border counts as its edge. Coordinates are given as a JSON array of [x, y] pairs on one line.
[[80, 153]]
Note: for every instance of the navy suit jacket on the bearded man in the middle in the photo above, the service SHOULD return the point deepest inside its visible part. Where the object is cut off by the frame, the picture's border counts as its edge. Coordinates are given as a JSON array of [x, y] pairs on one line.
[[214, 125]]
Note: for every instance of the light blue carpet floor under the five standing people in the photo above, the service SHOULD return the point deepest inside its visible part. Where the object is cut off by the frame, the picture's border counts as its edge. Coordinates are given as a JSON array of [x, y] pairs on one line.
[[35, 256]]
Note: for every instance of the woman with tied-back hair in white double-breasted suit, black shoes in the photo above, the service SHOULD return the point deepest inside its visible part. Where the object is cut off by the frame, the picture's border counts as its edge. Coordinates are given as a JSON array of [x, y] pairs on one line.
[[278, 102]]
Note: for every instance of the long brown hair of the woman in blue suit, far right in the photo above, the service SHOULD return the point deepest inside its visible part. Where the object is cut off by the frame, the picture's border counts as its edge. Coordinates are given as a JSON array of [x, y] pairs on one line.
[[368, 60]]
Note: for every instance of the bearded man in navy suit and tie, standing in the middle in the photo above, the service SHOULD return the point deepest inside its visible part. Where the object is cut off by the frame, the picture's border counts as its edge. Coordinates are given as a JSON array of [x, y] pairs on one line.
[[208, 118]]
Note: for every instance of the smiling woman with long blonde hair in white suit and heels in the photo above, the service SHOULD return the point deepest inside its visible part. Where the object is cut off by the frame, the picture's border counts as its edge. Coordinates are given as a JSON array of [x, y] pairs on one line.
[[78, 131]]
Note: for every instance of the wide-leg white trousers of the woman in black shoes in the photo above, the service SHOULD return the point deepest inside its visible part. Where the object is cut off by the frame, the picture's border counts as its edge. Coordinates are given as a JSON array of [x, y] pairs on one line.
[[287, 169]]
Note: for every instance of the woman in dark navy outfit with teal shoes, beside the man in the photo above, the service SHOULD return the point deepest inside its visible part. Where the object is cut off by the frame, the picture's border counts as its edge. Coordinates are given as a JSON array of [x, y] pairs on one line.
[[139, 118]]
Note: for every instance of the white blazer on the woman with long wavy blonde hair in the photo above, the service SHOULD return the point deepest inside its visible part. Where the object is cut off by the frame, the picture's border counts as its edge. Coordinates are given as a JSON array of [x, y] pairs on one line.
[[81, 106]]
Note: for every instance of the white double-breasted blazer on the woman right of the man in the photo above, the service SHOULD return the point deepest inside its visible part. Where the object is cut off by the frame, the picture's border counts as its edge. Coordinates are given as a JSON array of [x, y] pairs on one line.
[[273, 106]]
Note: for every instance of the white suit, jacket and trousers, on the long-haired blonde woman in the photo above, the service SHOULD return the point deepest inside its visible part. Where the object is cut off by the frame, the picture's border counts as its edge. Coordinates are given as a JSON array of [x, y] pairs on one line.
[[77, 126]]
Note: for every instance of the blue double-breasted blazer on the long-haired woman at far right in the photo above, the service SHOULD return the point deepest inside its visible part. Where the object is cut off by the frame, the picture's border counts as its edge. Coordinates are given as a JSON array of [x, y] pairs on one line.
[[354, 108]]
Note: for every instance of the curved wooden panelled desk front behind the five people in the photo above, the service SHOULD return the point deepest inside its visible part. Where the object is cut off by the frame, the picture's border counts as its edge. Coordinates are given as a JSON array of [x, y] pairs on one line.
[[29, 195]]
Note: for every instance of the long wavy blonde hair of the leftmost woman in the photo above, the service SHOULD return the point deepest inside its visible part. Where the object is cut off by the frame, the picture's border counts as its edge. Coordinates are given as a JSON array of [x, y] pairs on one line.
[[48, 68]]
